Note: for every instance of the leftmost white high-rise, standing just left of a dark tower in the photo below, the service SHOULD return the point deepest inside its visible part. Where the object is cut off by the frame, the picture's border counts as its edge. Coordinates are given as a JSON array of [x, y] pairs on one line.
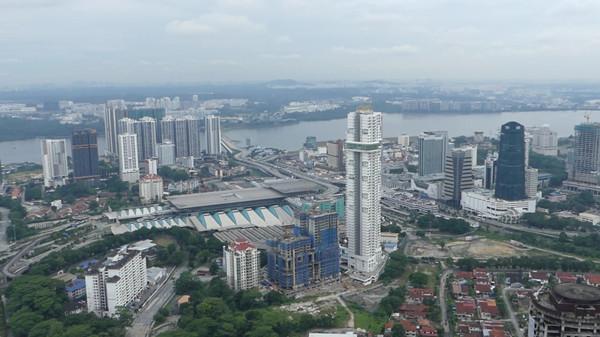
[[54, 162]]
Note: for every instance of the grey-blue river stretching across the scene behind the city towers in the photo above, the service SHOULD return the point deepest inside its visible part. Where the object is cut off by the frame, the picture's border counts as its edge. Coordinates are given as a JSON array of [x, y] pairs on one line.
[[292, 136]]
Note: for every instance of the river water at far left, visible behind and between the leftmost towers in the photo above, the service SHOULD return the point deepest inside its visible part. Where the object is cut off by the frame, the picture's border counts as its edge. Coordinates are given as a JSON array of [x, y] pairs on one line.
[[30, 150]]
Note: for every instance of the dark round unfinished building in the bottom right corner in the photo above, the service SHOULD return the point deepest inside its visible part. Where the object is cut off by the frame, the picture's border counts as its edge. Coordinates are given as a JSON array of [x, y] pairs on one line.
[[565, 310]]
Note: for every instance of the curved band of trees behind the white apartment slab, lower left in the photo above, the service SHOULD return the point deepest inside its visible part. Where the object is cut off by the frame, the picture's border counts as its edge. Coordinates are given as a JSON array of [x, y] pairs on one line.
[[192, 246]]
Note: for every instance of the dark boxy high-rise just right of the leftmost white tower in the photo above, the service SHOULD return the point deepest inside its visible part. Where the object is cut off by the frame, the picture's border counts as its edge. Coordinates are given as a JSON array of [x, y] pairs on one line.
[[84, 149]]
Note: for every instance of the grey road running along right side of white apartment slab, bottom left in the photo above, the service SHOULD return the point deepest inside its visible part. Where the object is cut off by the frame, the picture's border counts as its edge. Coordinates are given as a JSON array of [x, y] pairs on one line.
[[141, 326]]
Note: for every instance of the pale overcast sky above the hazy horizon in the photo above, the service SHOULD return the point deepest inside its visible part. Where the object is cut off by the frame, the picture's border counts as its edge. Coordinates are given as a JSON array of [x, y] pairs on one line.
[[199, 41]]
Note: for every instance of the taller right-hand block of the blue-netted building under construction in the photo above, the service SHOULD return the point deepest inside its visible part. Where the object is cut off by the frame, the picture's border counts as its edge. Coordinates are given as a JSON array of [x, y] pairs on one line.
[[323, 227]]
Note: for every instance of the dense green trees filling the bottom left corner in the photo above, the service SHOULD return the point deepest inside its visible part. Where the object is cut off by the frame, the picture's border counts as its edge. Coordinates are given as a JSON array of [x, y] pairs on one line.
[[36, 305]]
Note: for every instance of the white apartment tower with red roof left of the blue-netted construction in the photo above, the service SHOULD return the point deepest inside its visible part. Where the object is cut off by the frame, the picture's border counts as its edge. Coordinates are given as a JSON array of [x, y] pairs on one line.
[[241, 262]]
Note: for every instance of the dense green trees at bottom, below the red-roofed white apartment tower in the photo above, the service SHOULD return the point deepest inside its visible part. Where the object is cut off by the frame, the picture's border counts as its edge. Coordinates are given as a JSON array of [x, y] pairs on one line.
[[216, 311]]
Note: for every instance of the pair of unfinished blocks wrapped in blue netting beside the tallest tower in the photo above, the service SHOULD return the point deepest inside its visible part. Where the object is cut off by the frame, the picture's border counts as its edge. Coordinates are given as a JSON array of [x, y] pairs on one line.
[[305, 256]]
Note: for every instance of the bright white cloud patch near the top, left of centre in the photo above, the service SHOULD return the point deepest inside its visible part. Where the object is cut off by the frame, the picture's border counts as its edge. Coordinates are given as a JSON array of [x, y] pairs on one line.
[[213, 23]]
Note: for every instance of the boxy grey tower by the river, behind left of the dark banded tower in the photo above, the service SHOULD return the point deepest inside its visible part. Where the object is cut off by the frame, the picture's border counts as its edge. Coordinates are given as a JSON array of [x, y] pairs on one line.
[[432, 148]]
